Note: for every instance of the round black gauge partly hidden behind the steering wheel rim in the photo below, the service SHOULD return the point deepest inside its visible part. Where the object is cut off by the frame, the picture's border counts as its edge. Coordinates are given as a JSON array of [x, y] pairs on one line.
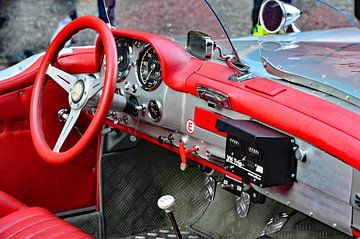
[[124, 58]]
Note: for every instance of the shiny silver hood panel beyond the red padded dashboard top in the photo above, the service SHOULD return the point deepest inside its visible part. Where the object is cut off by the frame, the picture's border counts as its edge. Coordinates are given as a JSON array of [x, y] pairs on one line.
[[329, 63]]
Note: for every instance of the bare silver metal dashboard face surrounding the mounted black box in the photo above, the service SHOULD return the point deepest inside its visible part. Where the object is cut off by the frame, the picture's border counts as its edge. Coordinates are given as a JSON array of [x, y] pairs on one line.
[[324, 182]]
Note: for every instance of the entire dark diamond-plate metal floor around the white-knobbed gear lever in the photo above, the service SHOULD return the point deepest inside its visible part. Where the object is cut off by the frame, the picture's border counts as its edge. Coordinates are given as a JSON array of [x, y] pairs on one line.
[[133, 180]]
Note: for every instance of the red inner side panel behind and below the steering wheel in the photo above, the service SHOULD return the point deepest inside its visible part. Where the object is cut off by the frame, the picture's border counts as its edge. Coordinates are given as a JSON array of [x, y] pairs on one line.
[[23, 174]]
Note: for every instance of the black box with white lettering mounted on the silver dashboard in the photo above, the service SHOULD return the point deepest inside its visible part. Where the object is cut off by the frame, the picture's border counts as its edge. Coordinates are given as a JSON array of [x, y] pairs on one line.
[[258, 154]]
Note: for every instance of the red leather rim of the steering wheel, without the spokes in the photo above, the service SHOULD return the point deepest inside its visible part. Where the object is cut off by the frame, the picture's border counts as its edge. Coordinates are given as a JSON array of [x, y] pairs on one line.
[[36, 107]]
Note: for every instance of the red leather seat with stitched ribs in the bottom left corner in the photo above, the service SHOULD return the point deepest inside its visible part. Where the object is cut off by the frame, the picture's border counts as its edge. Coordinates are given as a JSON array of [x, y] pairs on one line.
[[20, 221]]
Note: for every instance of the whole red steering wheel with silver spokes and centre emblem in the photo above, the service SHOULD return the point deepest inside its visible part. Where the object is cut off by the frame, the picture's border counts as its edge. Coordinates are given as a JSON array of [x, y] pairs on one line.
[[80, 89]]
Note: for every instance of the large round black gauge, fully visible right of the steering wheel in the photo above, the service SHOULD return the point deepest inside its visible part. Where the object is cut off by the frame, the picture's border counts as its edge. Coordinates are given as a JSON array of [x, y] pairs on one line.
[[149, 70]]
